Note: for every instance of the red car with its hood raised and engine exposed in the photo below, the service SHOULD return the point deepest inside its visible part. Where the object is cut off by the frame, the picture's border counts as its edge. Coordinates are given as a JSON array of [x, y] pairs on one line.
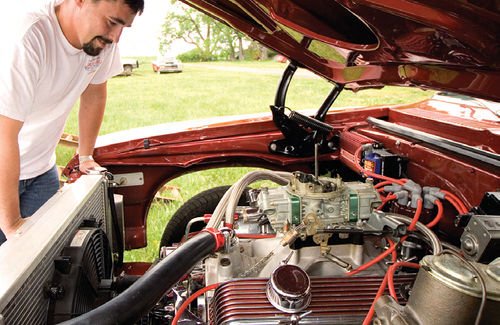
[[387, 214]]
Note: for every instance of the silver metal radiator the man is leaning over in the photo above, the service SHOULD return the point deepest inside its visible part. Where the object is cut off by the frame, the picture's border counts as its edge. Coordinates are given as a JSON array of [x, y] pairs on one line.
[[26, 261]]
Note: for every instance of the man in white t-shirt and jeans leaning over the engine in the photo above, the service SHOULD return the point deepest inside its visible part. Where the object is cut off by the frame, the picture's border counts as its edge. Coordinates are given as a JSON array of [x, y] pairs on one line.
[[64, 51]]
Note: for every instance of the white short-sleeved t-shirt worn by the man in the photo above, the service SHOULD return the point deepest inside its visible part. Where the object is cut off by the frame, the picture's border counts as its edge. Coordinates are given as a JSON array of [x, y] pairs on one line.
[[41, 77]]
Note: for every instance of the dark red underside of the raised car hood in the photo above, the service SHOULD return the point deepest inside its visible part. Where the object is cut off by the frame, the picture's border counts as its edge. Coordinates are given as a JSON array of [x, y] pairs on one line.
[[445, 45]]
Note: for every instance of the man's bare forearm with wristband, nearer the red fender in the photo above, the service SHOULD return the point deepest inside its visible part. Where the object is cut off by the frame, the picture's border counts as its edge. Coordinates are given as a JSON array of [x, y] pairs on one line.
[[90, 115]]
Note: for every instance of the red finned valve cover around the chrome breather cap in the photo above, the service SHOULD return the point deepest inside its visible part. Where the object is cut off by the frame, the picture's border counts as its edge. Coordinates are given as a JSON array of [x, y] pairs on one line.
[[334, 301]]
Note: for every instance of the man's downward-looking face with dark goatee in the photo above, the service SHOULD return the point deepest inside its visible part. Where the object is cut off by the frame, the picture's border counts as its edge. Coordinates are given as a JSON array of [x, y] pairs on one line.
[[101, 23]]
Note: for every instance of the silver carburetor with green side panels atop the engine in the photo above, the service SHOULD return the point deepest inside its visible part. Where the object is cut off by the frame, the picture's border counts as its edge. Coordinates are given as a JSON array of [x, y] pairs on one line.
[[317, 203]]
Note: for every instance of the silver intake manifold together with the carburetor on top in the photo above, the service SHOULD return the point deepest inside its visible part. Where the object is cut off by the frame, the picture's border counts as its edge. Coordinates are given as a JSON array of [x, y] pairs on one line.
[[321, 219]]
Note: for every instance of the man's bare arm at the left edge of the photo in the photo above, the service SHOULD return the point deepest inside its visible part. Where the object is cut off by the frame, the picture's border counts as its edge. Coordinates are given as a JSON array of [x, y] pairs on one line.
[[10, 217]]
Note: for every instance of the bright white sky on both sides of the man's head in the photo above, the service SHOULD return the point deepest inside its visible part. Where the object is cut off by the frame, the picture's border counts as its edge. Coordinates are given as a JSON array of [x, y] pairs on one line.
[[142, 39]]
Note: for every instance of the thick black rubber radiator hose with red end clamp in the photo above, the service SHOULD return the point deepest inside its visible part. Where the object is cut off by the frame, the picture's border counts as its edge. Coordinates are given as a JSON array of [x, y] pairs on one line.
[[141, 296]]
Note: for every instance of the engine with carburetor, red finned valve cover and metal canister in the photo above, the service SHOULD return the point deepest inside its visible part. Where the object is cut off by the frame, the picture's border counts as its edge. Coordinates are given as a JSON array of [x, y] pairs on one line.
[[303, 252]]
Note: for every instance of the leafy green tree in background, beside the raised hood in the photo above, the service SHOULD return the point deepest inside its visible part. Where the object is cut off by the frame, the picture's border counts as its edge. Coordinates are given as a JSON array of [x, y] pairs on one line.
[[210, 37]]
